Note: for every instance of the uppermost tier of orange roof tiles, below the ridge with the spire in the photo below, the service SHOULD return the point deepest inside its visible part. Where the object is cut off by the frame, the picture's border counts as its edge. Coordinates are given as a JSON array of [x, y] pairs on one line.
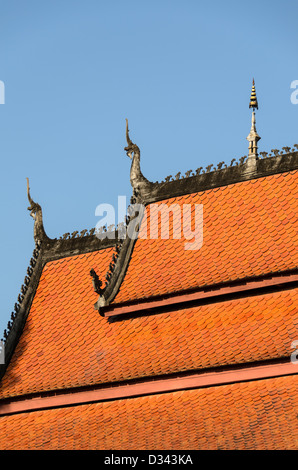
[[249, 229]]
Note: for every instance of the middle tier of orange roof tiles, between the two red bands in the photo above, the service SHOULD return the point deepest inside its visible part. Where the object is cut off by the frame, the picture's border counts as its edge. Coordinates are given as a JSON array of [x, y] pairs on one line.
[[66, 343]]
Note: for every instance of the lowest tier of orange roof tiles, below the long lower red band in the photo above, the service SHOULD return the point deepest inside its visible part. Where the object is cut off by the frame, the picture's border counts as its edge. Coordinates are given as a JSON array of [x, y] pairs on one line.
[[249, 415]]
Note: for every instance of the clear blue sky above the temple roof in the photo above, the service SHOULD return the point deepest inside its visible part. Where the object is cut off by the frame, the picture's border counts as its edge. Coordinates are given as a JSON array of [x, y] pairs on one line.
[[179, 70]]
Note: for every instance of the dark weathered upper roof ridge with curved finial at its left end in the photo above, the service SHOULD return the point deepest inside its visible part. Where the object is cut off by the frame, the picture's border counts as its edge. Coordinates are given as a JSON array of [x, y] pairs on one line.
[[246, 168]]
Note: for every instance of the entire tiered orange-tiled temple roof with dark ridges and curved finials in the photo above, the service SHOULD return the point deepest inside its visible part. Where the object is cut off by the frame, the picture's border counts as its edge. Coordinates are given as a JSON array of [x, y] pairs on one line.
[[153, 310]]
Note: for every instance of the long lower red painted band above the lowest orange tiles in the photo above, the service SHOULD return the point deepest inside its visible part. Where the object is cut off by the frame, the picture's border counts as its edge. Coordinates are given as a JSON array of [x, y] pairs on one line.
[[154, 386]]
